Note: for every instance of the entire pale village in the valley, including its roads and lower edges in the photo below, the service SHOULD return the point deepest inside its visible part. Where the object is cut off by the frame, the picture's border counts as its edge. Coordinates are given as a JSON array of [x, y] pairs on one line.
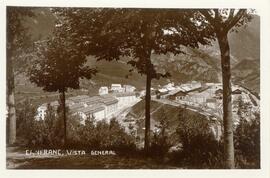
[[117, 100]]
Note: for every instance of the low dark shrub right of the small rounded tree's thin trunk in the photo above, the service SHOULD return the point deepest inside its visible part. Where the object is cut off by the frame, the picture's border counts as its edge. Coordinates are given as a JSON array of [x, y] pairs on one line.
[[103, 135]]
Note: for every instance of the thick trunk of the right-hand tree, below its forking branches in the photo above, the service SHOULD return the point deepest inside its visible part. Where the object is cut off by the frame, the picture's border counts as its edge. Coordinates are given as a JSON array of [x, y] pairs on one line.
[[227, 100]]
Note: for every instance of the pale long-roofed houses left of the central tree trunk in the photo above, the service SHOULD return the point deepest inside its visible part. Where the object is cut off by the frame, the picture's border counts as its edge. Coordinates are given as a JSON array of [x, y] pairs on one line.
[[102, 106]]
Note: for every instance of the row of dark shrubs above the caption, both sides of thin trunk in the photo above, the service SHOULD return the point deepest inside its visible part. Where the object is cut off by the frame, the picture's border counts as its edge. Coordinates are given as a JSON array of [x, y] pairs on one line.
[[92, 135]]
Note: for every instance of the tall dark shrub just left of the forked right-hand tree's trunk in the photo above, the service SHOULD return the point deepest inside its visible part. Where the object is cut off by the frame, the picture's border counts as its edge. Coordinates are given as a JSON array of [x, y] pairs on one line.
[[199, 147]]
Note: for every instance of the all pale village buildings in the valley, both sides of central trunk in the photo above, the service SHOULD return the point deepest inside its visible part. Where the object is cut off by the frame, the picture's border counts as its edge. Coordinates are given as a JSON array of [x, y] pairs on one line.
[[113, 99]]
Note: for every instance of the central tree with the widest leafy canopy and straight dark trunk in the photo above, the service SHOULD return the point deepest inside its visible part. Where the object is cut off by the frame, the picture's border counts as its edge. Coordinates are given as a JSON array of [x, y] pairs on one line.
[[135, 34]]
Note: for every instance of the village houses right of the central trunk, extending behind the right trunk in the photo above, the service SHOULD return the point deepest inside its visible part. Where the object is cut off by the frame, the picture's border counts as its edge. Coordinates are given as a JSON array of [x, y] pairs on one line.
[[198, 94]]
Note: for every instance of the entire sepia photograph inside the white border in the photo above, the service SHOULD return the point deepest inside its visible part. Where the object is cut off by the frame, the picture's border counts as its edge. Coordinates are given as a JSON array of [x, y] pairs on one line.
[[132, 88]]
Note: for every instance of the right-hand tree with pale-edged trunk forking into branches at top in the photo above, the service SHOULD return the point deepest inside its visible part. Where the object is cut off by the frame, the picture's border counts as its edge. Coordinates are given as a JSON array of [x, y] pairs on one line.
[[223, 21]]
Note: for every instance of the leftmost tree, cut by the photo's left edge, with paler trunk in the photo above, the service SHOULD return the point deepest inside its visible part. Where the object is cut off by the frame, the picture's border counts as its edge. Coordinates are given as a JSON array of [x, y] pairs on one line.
[[17, 41]]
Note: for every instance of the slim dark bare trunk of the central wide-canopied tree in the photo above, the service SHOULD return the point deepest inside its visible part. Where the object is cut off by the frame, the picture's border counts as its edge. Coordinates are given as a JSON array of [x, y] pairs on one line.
[[147, 110]]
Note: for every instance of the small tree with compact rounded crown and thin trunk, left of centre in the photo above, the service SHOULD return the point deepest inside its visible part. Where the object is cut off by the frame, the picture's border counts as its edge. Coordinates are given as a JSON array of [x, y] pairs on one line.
[[59, 66]]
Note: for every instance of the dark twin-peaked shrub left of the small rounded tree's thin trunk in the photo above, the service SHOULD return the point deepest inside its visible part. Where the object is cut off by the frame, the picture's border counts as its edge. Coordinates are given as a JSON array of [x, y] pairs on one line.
[[47, 132]]
